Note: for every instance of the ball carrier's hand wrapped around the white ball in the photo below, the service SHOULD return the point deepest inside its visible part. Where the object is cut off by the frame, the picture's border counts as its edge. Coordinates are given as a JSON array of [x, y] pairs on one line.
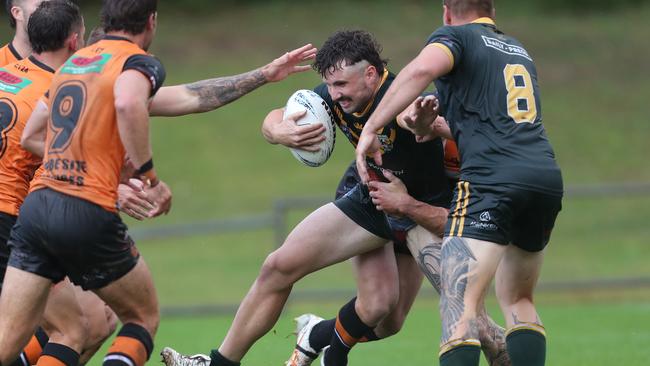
[[288, 133]]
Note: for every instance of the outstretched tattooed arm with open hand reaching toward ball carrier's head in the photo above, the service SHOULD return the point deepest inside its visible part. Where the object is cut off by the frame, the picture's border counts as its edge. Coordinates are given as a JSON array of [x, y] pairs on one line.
[[210, 94]]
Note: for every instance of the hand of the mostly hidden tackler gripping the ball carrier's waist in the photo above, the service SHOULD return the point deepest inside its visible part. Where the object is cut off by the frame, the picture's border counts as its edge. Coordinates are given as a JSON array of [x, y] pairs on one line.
[[389, 197]]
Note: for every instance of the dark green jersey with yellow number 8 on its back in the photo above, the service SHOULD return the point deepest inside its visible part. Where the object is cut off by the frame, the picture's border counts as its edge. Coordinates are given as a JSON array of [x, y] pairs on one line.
[[492, 102]]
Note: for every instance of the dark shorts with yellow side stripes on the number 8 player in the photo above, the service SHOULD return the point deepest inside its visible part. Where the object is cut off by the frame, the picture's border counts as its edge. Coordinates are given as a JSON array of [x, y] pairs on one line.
[[503, 214]]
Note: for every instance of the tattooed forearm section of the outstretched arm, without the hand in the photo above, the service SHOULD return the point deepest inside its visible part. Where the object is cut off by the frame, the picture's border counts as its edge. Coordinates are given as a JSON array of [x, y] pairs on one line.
[[214, 93]]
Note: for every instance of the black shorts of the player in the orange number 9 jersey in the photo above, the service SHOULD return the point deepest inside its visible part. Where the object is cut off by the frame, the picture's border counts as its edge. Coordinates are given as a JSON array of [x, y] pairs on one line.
[[58, 235]]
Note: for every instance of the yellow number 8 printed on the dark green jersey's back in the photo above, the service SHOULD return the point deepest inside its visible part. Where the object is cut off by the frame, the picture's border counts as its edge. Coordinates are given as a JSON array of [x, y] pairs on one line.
[[521, 95]]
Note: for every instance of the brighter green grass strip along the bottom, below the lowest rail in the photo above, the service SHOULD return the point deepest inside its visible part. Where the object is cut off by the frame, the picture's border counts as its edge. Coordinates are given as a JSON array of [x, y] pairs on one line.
[[582, 333]]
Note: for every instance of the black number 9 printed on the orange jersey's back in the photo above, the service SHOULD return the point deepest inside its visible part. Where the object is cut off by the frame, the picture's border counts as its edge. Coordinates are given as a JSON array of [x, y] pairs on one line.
[[67, 108]]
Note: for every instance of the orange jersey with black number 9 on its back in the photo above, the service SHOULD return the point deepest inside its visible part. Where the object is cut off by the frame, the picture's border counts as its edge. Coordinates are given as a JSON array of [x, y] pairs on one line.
[[83, 150]]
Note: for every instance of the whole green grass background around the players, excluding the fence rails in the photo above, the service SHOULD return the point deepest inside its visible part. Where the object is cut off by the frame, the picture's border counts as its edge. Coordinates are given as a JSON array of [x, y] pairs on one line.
[[595, 87]]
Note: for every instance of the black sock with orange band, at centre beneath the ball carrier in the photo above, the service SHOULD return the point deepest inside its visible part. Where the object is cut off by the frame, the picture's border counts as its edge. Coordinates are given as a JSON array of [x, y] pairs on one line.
[[348, 330]]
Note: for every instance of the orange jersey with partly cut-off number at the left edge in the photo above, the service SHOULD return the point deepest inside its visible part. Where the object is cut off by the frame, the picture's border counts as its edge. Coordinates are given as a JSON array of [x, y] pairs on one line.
[[22, 84]]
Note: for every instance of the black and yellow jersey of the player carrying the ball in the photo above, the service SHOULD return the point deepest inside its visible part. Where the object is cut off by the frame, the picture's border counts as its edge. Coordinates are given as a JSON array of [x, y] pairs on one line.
[[419, 166]]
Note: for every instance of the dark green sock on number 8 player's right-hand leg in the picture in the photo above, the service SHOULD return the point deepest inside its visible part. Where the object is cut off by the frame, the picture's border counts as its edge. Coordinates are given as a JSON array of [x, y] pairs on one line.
[[526, 347]]
